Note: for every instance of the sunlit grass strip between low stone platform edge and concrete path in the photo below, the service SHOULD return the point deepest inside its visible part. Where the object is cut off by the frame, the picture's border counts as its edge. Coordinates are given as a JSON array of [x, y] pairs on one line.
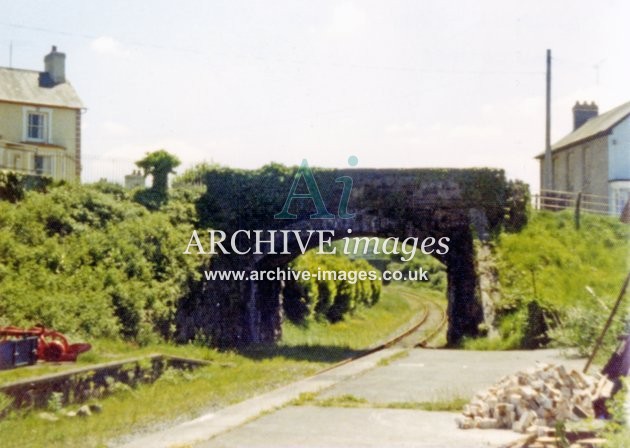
[[173, 396]]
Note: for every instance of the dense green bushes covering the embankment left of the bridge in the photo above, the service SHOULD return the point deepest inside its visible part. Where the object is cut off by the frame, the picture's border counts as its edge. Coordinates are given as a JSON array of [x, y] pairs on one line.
[[88, 260]]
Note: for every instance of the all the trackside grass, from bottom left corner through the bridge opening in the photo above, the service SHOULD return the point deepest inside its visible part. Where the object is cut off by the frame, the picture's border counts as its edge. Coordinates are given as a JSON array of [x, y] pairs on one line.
[[232, 377]]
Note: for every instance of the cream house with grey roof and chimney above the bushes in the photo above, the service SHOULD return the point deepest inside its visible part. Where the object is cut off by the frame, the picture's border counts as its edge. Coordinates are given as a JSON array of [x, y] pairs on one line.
[[40, 121]]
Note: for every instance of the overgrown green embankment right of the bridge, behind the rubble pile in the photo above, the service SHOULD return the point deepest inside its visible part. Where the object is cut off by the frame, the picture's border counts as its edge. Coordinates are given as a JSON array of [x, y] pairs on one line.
[[559, 283]]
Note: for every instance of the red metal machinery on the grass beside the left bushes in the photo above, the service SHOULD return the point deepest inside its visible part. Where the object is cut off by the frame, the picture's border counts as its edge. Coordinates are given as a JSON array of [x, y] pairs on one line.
[[51, 345]]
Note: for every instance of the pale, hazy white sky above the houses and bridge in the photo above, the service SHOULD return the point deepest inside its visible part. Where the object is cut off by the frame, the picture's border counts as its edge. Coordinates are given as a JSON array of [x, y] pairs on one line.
[[395, 83]]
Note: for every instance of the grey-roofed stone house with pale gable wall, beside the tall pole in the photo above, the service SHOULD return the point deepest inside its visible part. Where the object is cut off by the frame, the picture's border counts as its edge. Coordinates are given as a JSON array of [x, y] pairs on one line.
[[594, 159]]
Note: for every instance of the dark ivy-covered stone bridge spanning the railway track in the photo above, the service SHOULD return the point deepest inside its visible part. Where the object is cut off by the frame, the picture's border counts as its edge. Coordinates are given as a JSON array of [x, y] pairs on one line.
[[460, 204]]
